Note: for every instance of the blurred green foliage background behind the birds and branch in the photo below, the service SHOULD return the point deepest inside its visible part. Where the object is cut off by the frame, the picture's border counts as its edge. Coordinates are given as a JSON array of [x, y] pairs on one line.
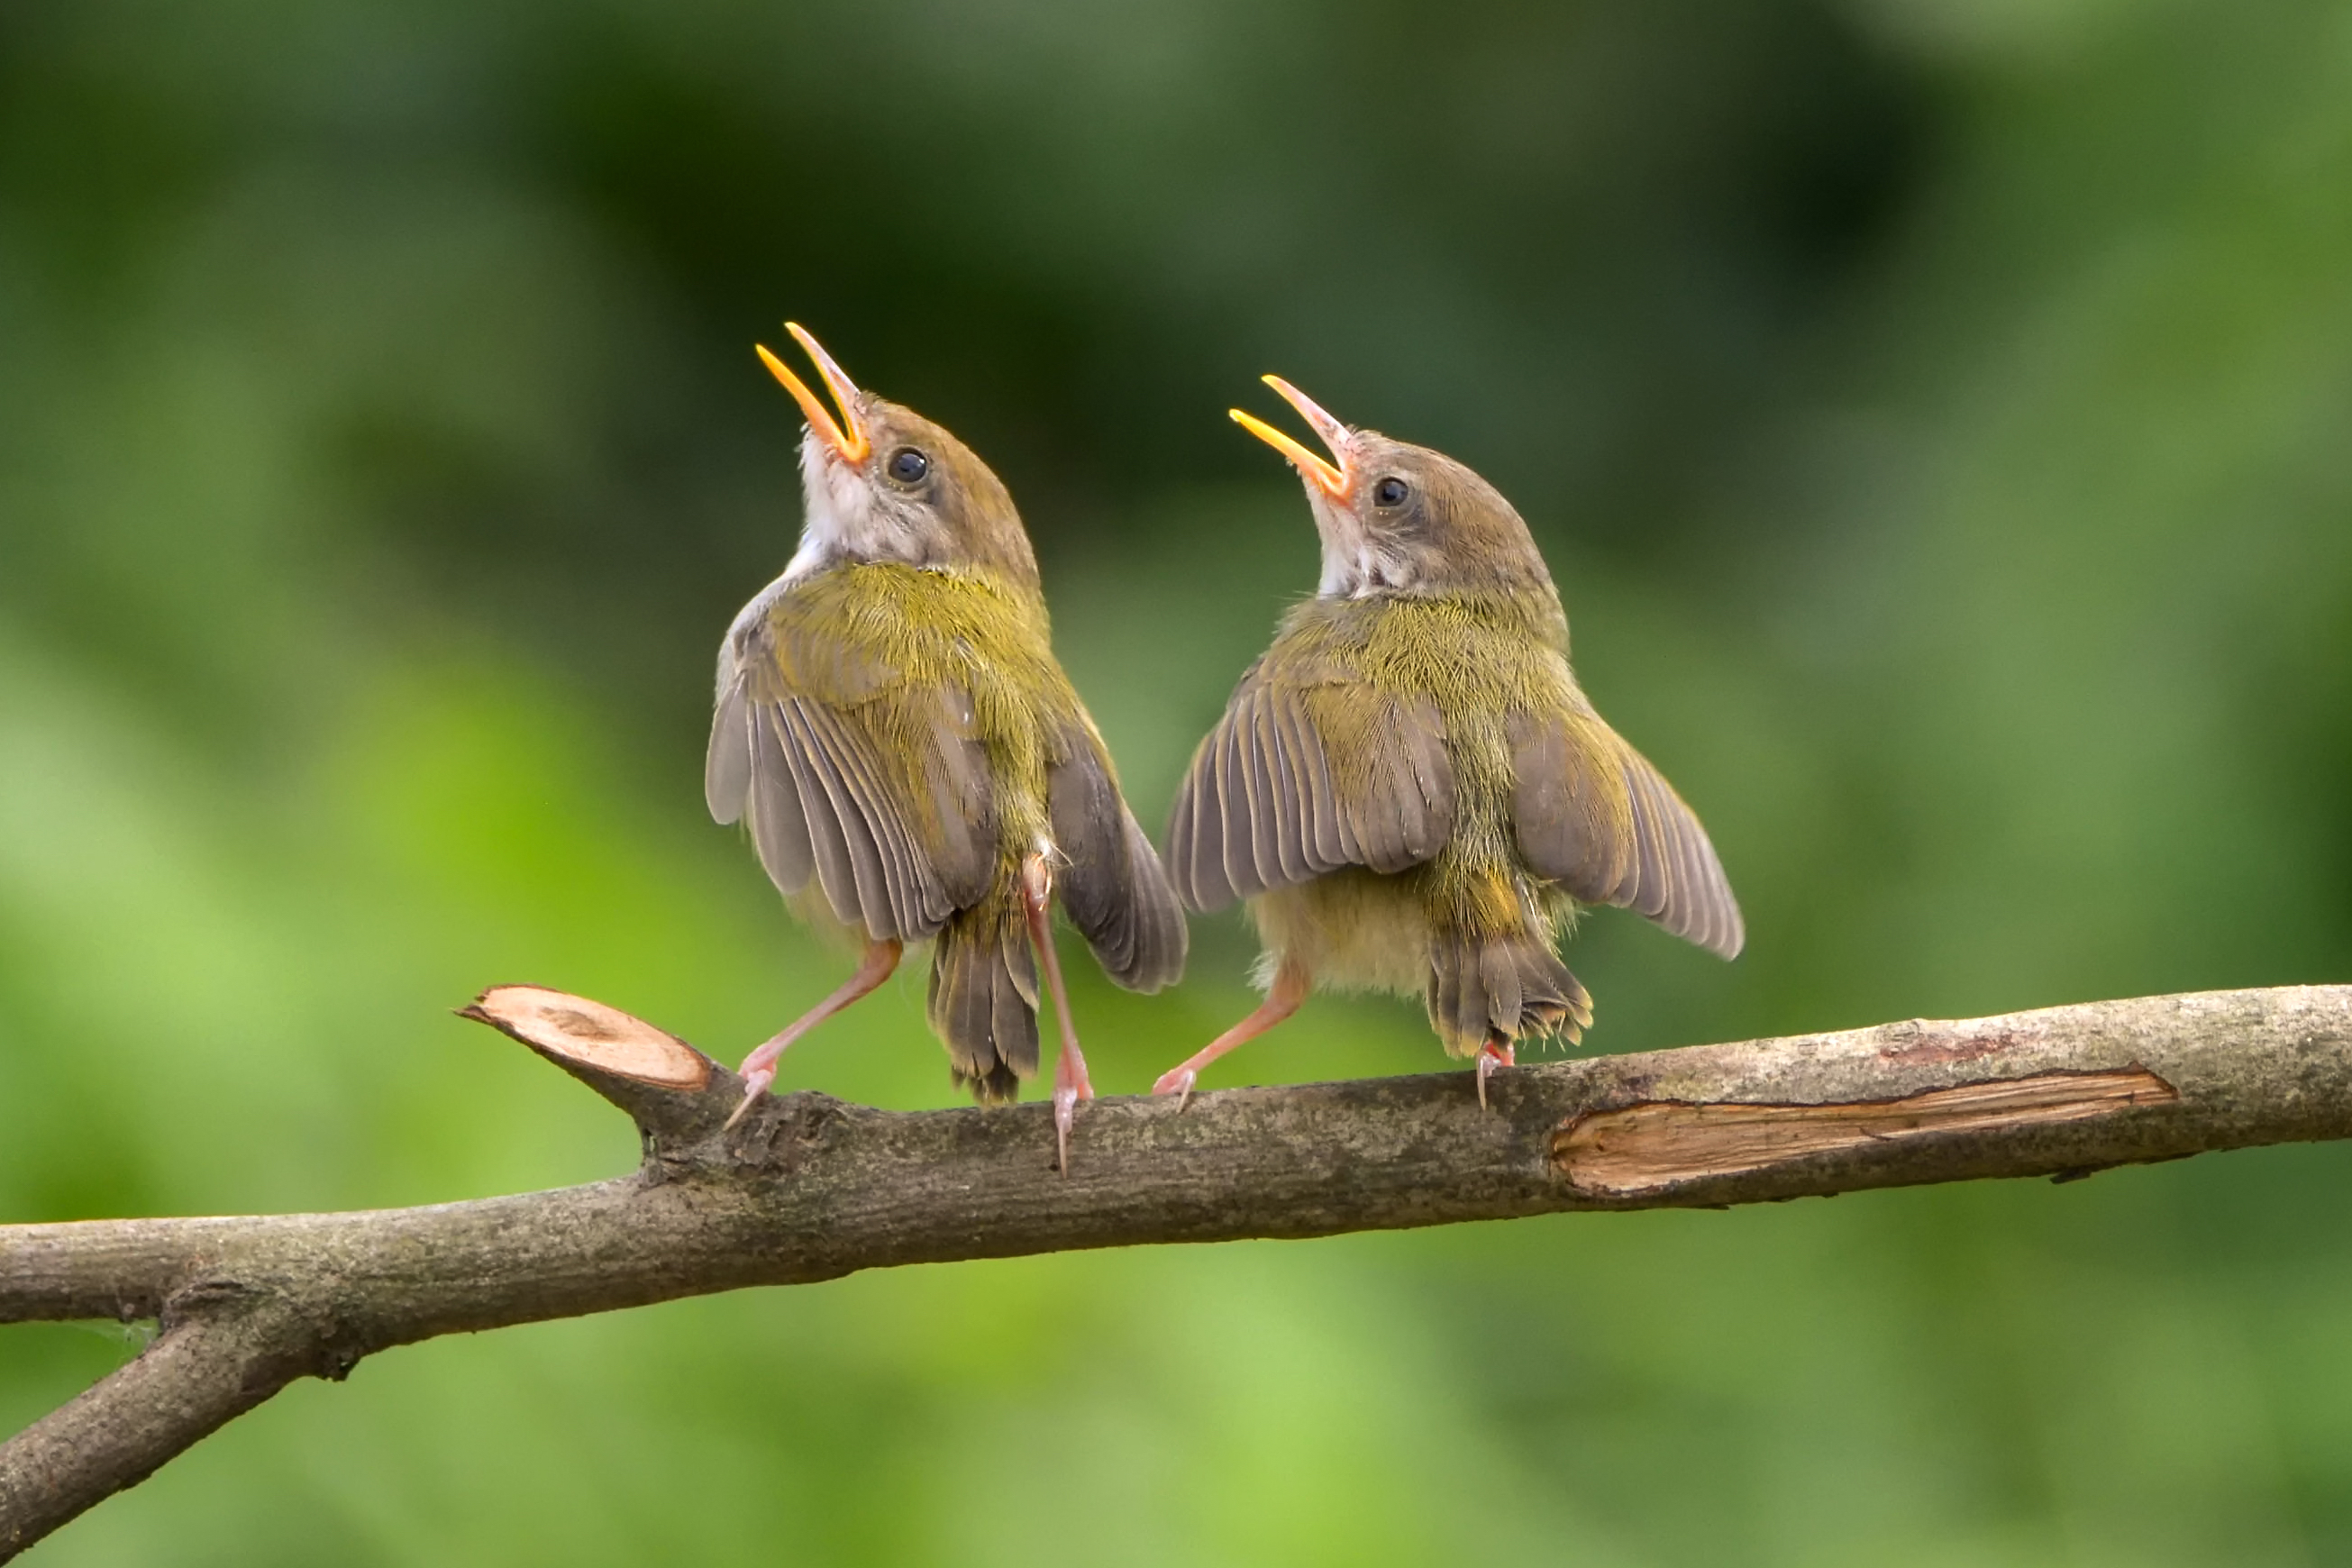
[[1939, 417]]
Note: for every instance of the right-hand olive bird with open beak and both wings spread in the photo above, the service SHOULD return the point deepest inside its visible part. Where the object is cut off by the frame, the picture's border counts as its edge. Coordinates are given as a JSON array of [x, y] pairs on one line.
[[1410, 789]]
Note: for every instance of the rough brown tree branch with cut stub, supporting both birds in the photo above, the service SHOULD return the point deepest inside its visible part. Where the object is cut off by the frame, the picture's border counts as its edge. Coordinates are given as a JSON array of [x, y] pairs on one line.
[[813, 1188]]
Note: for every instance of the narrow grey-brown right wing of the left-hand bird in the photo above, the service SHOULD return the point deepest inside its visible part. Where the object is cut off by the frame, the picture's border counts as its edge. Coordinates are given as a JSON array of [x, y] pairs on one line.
[[1111, 885]]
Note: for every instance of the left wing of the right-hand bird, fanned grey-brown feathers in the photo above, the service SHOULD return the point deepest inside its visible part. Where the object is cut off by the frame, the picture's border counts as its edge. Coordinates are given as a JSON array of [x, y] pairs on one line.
[[1304, 777]]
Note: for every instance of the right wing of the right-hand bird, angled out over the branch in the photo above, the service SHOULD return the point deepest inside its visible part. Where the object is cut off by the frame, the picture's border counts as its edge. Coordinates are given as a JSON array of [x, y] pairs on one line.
[[1596, 817]]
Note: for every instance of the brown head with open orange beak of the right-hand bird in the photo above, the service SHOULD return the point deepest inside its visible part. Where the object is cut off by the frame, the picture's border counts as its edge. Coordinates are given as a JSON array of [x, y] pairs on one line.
[[1401, 518]]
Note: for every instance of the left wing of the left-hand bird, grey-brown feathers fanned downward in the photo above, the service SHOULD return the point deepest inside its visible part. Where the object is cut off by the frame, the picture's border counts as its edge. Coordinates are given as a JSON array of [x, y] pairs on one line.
[[876, 789]]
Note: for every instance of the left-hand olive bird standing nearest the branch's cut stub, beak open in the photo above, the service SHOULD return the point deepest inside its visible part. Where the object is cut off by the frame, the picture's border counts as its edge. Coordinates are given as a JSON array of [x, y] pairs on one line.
[[914, 763]]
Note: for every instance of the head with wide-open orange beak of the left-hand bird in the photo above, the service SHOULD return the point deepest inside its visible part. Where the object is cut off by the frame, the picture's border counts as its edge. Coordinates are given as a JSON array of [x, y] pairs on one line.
[[888, 485]]
